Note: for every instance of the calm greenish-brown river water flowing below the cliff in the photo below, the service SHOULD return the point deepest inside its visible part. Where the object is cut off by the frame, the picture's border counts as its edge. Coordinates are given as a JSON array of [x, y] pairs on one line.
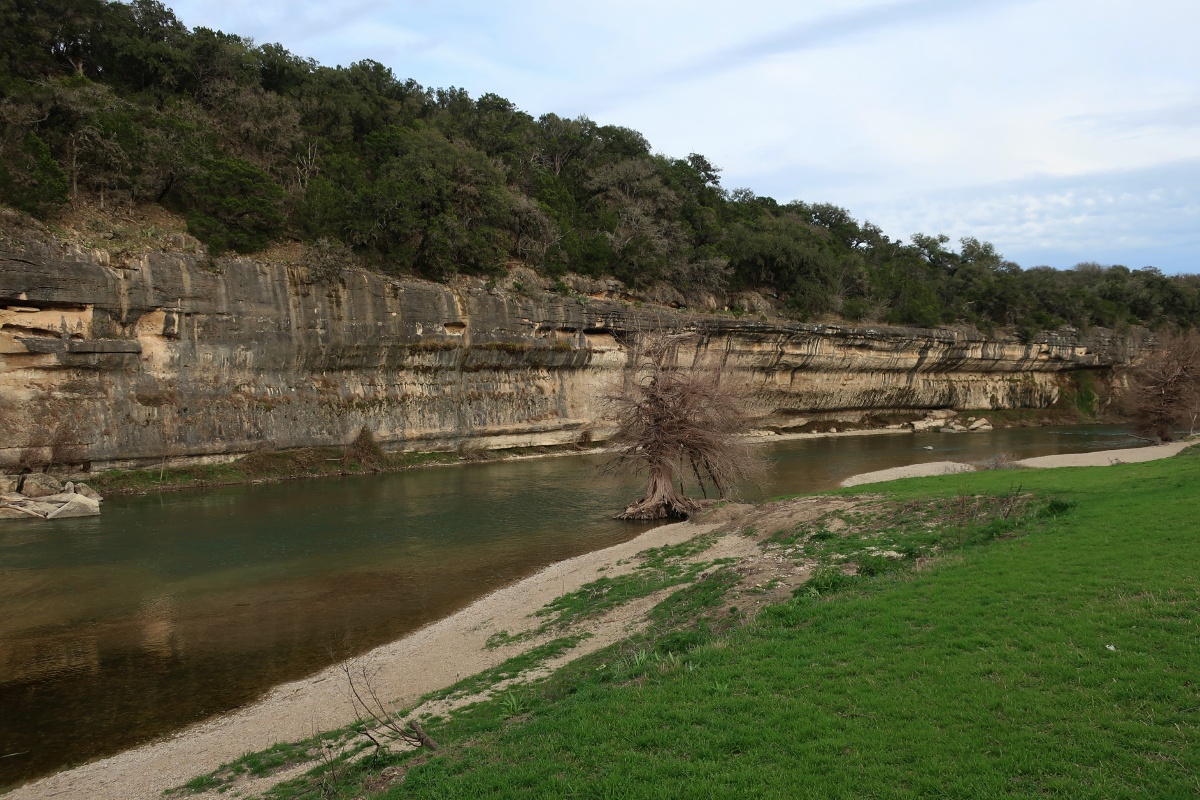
[[173, 607]]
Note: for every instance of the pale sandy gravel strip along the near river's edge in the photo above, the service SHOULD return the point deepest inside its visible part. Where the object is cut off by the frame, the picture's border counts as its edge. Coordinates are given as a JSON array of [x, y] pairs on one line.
[[151, 769]]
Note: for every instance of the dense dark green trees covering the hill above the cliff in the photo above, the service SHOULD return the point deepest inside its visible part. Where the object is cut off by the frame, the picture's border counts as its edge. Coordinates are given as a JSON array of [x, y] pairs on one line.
[[254, 145]]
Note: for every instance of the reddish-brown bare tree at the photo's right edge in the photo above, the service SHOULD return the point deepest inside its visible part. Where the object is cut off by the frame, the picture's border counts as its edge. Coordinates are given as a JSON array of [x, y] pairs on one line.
[[1165, 390]]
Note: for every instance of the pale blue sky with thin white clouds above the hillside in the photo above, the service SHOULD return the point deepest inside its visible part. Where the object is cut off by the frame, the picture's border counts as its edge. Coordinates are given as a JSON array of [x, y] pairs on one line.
[[1061, 131]]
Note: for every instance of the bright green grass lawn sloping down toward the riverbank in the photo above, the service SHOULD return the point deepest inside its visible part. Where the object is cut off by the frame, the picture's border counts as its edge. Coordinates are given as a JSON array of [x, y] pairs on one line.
[[1058, 657]]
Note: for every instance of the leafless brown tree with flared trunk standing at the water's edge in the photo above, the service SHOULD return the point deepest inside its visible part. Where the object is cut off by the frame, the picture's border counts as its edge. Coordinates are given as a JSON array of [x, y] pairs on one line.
[[677, 424]]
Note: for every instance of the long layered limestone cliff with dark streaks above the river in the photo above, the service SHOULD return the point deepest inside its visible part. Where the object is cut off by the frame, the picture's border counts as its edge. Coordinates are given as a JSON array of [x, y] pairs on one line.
[[171, 357]]
